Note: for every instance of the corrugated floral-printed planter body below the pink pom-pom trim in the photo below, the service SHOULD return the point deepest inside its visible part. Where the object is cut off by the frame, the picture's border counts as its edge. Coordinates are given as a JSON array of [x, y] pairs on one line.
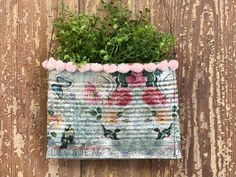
[[117, 116]]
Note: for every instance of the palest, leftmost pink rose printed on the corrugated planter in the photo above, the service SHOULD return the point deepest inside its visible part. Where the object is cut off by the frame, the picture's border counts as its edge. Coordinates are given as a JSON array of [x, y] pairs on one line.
[[91, 93]]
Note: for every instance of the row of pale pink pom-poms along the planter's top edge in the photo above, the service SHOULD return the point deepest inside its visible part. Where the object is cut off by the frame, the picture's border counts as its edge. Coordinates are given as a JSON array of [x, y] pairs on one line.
[[52, 64]]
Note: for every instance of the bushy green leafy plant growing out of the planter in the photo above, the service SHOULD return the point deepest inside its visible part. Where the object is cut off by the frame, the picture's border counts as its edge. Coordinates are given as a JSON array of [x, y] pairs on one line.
[[113, 37]]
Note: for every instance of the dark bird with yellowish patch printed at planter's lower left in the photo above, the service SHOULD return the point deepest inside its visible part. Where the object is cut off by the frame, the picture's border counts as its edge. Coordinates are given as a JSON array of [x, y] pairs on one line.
[[67, 137]]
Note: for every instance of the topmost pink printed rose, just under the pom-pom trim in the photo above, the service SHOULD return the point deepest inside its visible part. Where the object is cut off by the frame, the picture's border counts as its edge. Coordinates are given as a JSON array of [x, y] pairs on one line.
[[136, 79]]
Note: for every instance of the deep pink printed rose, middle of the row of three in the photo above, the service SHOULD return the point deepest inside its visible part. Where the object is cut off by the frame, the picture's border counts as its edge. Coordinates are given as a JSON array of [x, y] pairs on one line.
[[121, 97]]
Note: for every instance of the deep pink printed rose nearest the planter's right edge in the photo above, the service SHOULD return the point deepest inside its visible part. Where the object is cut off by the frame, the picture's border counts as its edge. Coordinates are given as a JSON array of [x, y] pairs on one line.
[[153, 96]]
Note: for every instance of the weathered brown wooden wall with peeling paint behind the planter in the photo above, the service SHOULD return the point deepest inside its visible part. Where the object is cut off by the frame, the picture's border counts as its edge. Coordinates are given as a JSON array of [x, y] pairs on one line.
[[206, 48]]
